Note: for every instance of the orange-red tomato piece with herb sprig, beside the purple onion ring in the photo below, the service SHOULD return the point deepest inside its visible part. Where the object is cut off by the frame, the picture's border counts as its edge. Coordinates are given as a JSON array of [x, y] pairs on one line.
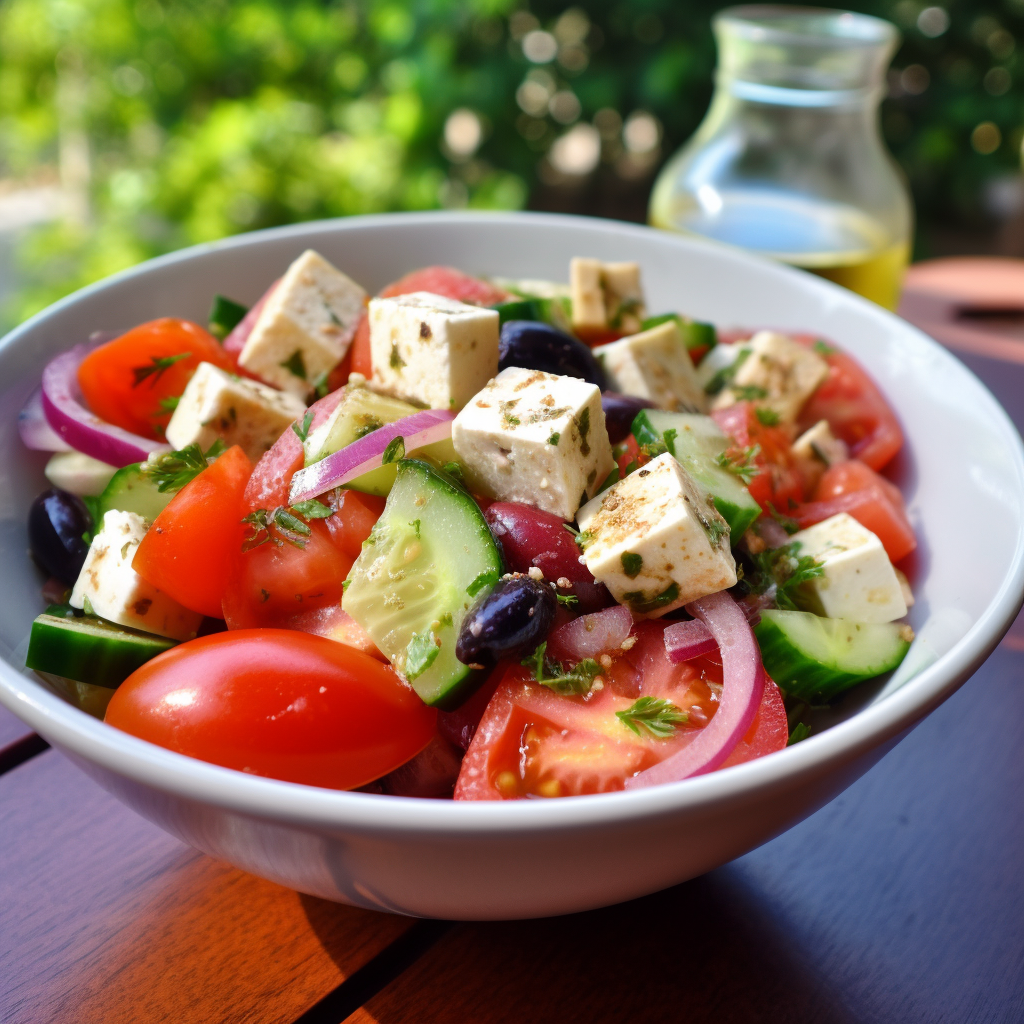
[[130, 381]]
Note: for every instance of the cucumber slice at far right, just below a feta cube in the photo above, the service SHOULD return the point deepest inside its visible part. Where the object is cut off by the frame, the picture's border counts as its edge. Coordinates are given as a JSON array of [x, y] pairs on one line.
[[817, 659]]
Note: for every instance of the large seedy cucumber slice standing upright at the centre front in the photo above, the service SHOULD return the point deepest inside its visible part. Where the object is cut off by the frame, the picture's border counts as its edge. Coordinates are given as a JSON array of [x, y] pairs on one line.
[[430, 558]]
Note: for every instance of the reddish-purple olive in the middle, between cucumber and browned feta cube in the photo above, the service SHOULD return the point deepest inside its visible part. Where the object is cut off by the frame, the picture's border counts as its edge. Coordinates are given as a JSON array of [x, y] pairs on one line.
[[532, 537]]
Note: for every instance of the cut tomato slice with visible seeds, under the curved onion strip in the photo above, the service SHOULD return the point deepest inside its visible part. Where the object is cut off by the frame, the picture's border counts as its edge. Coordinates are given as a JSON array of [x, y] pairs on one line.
[[535, 743]]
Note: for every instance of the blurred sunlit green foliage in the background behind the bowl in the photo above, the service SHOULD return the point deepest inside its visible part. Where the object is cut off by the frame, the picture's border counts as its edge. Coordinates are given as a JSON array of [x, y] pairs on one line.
[[172, 122]]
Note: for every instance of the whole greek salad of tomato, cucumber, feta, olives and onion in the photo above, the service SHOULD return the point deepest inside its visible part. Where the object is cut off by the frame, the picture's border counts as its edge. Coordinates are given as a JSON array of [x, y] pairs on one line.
[[483, 539]]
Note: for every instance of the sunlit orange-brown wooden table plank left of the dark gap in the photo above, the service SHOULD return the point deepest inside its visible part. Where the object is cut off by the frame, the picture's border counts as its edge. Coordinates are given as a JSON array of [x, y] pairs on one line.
[[106, 919]]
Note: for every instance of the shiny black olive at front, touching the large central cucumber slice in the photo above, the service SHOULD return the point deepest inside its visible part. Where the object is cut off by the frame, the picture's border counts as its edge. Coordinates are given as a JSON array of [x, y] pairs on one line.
[[510, 622]]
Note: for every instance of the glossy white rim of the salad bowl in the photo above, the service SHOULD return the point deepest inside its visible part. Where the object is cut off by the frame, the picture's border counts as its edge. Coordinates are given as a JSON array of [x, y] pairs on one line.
[[89, 740]]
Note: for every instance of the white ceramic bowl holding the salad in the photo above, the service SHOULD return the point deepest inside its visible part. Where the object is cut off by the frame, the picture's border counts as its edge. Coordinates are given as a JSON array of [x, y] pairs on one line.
[[963, 474]]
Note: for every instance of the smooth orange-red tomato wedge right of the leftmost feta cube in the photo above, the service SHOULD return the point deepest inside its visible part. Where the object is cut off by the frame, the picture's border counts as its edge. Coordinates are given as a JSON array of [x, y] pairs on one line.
[[189, 550]]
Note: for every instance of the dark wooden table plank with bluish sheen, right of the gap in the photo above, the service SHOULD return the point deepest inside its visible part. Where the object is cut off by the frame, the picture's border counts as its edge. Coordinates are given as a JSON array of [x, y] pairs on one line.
[[900, 902]]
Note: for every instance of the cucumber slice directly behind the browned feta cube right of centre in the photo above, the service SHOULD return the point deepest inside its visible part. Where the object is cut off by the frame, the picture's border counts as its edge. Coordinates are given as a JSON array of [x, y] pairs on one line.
[[696, 442]]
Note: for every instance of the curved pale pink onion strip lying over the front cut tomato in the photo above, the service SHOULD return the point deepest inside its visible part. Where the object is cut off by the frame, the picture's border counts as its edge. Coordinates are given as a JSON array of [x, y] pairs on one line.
[[744, 681]]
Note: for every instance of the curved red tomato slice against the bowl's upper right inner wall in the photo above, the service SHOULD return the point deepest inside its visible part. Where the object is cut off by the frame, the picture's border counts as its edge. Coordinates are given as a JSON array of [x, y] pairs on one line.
[[856, 409]]
